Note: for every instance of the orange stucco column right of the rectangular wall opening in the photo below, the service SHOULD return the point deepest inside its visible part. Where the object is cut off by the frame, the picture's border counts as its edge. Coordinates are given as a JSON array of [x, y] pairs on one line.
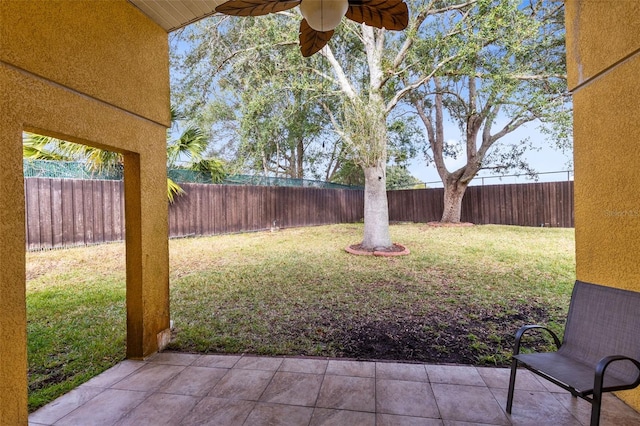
[[147, 233]]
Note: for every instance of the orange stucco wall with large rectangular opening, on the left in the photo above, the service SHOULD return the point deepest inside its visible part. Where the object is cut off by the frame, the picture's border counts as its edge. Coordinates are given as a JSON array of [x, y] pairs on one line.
[[92, 72]]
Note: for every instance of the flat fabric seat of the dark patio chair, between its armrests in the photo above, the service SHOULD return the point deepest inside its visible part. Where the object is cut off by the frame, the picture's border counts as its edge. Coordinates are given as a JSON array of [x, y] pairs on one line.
[[579, 376]]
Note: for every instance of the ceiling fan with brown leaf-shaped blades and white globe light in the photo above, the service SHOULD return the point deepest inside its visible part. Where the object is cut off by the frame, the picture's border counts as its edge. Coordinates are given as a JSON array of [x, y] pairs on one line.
[[321, 17]]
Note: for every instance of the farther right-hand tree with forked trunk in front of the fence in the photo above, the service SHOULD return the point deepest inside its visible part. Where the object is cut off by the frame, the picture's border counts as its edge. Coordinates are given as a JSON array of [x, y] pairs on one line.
[[510, 71]]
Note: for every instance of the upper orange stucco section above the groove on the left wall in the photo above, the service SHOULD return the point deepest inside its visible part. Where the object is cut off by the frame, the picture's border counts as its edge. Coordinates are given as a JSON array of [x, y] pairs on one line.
[[83, 49]]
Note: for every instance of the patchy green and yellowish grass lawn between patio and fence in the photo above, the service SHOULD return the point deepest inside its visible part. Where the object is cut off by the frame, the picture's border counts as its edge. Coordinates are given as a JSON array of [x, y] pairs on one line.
[[458, 297]]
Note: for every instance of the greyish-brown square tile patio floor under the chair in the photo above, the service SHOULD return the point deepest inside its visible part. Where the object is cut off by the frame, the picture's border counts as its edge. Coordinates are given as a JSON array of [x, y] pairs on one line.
[[188, 389]]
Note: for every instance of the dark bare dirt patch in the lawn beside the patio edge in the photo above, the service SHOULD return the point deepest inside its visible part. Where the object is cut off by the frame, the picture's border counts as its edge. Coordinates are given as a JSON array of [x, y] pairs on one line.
[[470, 336]]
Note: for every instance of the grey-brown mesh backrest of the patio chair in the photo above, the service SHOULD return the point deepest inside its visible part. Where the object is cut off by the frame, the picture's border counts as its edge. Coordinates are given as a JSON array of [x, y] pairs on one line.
[[603, 321]]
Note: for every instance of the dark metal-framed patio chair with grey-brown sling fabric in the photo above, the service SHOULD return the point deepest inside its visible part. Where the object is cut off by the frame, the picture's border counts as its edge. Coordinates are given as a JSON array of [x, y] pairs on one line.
[[602, 335]]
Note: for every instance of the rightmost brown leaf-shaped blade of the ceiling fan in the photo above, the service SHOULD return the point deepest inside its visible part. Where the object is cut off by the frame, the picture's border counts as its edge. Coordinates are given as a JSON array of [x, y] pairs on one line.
[[389, 14]]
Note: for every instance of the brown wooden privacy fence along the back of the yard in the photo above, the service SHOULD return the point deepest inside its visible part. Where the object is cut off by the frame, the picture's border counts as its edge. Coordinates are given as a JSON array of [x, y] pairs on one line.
[[70, 212]]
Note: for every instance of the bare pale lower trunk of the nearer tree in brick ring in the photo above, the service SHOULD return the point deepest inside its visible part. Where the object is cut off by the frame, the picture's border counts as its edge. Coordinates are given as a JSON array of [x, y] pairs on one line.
[[376, 208]]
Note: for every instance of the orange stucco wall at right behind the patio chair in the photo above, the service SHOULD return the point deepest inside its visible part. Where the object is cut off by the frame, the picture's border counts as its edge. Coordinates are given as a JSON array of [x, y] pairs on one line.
[[603, 57]]
